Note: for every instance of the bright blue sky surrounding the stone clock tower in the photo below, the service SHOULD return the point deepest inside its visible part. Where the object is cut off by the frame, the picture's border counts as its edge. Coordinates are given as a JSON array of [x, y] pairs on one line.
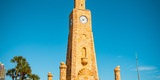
[[38, 31]]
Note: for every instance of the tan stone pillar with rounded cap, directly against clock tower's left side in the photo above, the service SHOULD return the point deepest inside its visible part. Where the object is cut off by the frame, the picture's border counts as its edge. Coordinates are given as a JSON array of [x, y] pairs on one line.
[[62, 71]]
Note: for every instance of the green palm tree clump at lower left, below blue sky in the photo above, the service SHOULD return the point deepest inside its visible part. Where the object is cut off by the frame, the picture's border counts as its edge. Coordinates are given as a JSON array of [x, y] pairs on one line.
[[22, 70]]
